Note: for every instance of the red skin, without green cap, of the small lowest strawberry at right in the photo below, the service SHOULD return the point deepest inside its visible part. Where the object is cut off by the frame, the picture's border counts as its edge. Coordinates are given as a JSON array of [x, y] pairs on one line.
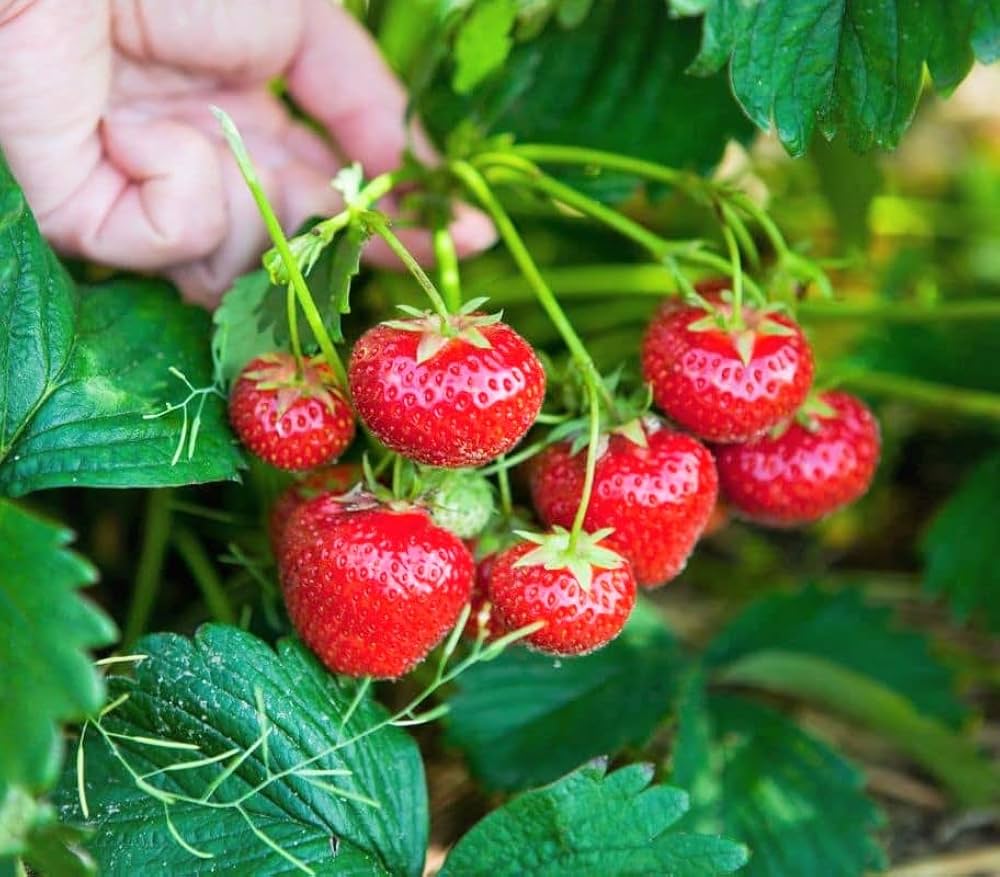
[[576, 621]]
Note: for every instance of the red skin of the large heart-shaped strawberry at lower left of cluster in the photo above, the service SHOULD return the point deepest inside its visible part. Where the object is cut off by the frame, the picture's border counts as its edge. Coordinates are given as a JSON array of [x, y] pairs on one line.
[[372, 591]]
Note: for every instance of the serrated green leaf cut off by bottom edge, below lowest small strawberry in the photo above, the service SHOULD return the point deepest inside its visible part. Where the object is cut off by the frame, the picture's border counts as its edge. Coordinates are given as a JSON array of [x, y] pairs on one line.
[[592, 822]]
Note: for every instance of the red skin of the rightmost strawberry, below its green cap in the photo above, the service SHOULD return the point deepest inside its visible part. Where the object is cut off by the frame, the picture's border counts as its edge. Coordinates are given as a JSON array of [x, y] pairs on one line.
[[801, 476]]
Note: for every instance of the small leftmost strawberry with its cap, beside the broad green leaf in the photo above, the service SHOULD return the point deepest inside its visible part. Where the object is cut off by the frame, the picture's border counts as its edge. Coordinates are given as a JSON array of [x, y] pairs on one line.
[[292, 421]]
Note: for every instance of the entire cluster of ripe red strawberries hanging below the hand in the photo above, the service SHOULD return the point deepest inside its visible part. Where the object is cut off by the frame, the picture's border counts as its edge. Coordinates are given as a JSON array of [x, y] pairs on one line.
[[373, 583]]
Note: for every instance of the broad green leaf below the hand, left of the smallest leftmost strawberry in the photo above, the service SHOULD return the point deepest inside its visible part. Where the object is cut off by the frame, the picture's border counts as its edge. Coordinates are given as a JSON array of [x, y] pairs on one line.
[[93, 430]]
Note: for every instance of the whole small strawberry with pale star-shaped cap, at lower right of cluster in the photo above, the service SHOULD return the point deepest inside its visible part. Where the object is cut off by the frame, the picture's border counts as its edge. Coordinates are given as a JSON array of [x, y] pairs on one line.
[[583, 595]]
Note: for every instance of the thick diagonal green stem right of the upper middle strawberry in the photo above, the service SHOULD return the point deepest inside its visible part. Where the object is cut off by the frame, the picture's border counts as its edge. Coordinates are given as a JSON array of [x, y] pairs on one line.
[[478, 186]]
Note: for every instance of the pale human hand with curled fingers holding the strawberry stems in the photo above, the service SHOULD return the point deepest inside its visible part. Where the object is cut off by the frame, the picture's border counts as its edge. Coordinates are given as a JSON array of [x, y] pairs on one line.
[[105, 121]]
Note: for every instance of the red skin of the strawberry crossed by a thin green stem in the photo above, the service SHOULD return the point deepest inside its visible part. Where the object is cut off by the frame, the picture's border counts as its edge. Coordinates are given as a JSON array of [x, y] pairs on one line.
[[658, 499]]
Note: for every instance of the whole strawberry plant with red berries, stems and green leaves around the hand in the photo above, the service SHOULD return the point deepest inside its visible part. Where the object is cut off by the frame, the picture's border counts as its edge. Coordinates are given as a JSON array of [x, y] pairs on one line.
[[654, 539]]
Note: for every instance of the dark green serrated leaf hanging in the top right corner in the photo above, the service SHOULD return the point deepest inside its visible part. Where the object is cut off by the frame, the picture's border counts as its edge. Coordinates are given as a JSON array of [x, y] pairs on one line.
[[855, 66]]
